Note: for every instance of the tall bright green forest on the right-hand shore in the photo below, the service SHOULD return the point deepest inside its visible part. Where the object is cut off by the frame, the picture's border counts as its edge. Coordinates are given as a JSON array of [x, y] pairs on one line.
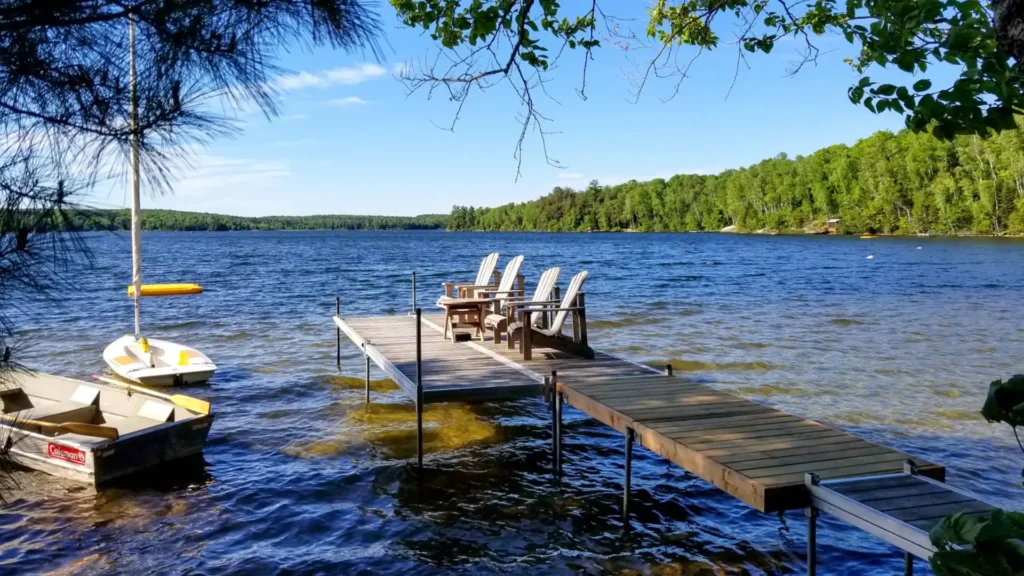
[[892, 184]]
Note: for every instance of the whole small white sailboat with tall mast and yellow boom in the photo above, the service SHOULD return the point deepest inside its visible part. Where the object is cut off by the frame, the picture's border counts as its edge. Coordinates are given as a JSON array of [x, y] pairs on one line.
[[149, 361]]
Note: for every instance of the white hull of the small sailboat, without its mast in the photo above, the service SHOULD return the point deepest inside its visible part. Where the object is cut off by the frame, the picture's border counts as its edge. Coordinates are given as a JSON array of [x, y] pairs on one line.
[[170, 364]]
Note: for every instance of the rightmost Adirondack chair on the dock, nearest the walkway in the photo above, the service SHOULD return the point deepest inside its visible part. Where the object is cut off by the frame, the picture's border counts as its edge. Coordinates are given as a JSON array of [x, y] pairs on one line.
[[528, 335]]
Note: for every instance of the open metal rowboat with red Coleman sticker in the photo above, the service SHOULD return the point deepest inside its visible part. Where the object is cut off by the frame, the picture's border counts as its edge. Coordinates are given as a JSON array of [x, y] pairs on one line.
[[150, 430]]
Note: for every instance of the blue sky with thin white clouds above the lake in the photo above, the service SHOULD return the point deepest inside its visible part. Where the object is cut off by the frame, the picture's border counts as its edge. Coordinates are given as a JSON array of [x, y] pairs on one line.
[[351, 140]]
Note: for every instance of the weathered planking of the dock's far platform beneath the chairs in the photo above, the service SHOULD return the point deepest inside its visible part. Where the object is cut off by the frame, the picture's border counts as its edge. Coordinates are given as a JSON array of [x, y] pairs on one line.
[[471, 371]]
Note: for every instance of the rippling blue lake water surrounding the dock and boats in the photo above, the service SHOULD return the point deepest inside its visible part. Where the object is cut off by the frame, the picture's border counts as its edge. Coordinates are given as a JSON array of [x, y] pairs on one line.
[[301, 477]]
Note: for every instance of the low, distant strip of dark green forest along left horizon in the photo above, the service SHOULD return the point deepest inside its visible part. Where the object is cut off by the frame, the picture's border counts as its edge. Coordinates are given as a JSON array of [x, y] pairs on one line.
[[197, 222]]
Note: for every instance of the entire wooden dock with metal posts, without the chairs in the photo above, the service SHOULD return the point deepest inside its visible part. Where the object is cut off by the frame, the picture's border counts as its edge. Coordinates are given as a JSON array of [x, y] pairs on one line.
[[772, 461]]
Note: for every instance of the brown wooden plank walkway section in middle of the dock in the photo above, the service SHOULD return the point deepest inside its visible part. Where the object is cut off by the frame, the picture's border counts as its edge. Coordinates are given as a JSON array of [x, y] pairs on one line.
[[754, 452]]
